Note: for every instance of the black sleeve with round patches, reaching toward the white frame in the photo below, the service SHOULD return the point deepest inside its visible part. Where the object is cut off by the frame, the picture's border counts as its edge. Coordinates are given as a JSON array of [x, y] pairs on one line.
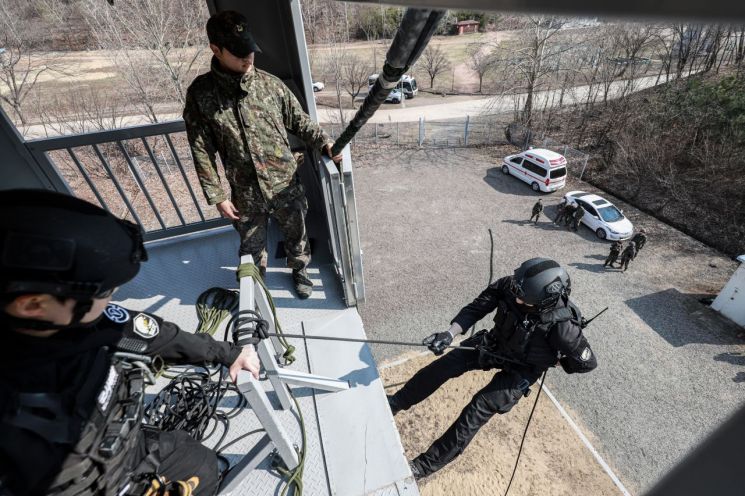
[[174, 346]]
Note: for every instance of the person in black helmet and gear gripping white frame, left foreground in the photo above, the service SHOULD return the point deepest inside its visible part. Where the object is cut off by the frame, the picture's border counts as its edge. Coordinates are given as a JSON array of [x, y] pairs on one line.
[[73, 371]]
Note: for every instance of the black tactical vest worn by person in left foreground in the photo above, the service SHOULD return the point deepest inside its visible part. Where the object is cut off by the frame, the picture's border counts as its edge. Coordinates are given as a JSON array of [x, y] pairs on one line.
[[101, 456]]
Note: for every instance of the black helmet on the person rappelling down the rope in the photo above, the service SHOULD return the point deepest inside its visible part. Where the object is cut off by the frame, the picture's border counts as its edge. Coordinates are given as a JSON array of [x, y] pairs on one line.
[[541, 282]]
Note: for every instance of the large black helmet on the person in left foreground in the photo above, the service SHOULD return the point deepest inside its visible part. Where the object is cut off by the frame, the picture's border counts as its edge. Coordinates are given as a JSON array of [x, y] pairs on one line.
[[56, 244]]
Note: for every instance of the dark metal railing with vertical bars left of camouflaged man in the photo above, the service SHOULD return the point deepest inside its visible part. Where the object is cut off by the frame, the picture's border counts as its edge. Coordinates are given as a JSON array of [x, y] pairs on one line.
[[142, 173]]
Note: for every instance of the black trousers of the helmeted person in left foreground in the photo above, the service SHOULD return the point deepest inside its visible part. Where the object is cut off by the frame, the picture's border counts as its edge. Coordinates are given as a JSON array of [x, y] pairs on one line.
[[176, 456]]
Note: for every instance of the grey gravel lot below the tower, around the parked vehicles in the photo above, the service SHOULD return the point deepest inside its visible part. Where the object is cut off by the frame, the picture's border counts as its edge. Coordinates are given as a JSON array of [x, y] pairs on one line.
[[669, 367]]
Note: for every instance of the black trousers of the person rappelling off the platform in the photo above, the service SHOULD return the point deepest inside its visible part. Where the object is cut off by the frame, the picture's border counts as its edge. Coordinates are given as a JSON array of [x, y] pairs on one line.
[[499, 396]]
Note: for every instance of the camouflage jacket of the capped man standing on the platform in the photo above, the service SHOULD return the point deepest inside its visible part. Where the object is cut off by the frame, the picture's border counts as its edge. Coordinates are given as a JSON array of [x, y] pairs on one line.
[[245, 119]]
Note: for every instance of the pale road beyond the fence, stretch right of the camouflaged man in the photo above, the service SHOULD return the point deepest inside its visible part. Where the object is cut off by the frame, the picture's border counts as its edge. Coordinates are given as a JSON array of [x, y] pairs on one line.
[[493, 104]]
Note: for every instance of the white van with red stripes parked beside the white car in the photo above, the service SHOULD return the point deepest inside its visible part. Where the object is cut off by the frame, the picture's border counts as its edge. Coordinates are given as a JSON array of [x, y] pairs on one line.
[[544, 170]]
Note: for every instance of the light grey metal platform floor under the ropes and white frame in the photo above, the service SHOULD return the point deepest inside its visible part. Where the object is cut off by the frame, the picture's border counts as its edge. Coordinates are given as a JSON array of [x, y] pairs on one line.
[[353, 447]]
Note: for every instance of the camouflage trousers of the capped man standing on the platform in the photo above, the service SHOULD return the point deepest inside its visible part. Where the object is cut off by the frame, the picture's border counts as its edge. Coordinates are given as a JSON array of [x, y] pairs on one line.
[[289, 213]]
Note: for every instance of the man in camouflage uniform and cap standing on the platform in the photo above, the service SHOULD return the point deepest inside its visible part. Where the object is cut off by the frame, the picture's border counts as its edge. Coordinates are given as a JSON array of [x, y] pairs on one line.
[[243, 114]]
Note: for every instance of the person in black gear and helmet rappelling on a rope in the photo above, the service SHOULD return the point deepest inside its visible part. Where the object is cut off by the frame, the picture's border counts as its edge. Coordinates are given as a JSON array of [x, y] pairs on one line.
[[536, 326]]
